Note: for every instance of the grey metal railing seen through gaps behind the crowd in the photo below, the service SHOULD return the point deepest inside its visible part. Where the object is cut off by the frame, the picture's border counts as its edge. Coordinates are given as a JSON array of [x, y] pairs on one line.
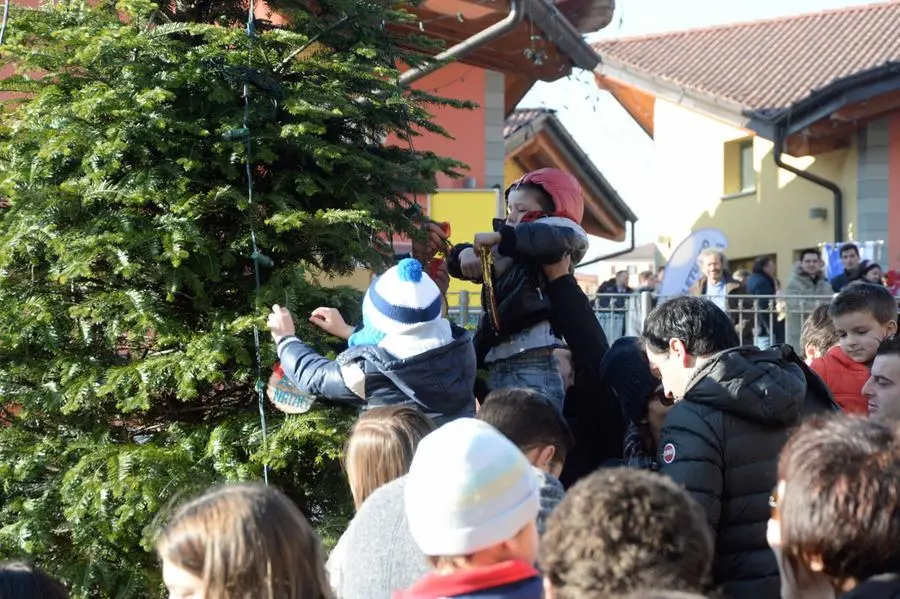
[[761, 320]]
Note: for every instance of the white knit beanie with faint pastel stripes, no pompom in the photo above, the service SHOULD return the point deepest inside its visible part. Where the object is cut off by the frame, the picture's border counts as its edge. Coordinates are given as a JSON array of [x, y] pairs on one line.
[[468, 488]]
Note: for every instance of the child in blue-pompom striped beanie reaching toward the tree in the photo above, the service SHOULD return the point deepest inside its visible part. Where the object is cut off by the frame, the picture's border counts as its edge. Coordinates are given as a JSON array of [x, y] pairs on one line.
[[406, 352]]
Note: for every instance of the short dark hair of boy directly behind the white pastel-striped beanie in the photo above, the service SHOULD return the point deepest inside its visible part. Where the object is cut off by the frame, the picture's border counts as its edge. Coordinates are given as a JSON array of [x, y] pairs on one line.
[[528, 419]]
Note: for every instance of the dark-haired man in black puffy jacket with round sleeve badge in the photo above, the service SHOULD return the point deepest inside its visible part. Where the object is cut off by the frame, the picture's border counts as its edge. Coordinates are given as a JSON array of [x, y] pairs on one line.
[[734, 409]]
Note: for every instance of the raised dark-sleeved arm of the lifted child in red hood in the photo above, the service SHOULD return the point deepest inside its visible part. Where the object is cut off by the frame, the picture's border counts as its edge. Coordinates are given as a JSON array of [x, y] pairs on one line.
[[546, 241]]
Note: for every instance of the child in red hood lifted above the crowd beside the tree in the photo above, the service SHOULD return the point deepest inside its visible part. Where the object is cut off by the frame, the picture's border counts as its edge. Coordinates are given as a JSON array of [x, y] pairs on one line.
[[544, 210]]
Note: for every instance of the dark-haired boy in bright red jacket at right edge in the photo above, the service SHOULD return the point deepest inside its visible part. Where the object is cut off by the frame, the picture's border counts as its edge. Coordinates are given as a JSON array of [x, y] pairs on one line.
[[863, 315]]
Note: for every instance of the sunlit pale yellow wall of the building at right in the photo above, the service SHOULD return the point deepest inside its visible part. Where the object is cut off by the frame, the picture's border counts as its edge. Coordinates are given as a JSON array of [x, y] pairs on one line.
[[695, 166]]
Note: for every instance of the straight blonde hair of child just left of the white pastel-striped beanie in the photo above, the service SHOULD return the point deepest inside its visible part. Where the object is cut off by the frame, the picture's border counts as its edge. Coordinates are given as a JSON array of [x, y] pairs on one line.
[[381, 447]]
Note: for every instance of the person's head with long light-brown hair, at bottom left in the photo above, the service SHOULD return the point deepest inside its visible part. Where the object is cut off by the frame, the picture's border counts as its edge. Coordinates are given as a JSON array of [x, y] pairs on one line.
[[242, 541]]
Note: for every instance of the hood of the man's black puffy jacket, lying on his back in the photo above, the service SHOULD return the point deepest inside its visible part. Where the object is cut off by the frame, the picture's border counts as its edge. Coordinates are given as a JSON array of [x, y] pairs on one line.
[[750, 383]]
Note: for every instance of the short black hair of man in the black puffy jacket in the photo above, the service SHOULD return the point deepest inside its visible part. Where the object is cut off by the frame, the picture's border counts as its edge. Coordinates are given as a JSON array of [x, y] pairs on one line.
[[700, 324]]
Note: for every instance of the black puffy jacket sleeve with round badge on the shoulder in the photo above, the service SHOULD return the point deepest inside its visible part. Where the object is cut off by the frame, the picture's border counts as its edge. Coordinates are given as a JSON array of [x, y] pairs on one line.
[[690, 453]]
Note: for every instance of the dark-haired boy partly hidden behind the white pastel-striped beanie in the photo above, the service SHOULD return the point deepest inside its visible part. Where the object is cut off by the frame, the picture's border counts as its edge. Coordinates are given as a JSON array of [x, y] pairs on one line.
[[530, 421]]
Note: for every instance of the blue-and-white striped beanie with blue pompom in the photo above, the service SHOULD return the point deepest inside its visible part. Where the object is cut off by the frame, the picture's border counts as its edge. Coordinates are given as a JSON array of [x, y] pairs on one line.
[[399, 301]]
